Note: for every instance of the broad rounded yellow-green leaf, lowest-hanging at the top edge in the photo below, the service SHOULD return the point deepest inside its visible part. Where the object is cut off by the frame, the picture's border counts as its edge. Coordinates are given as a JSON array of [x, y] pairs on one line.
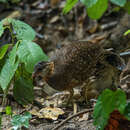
[[98, 9]]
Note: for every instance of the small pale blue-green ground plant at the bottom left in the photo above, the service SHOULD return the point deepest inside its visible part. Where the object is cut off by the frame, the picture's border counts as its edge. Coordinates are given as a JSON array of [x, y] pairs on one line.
[[21, 120]]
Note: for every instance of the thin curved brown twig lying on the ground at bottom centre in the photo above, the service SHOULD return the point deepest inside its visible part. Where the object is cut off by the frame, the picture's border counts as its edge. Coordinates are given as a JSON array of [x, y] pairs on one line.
[[70, 117]]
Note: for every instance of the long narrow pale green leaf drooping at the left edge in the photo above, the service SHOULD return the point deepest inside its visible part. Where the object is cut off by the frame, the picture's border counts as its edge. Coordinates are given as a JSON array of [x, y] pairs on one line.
[[9, 68]]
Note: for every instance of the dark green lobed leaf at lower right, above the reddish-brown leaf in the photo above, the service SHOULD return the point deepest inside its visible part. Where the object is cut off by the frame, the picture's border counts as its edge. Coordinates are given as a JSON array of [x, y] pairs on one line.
[[107, 102]]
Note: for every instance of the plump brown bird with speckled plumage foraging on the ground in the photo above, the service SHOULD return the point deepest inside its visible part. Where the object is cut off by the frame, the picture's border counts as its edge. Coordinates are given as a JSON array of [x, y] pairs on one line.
[[75, 64]]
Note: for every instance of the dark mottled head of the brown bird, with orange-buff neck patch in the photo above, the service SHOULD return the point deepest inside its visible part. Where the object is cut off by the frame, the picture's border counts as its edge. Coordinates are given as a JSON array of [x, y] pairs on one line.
[[42, 71]]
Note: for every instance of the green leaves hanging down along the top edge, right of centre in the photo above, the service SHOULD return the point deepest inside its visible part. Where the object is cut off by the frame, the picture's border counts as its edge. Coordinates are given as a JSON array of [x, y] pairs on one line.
[[95, 8]]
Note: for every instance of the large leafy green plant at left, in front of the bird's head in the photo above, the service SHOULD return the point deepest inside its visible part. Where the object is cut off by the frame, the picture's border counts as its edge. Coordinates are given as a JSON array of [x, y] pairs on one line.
[[19, 62]]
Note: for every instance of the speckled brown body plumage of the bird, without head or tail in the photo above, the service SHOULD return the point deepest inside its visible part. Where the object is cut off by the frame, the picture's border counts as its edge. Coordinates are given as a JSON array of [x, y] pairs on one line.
[[73, 64]]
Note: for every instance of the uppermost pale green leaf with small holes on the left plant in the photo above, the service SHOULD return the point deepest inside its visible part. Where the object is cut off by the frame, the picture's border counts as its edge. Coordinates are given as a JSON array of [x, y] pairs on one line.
[[23, 31]]
